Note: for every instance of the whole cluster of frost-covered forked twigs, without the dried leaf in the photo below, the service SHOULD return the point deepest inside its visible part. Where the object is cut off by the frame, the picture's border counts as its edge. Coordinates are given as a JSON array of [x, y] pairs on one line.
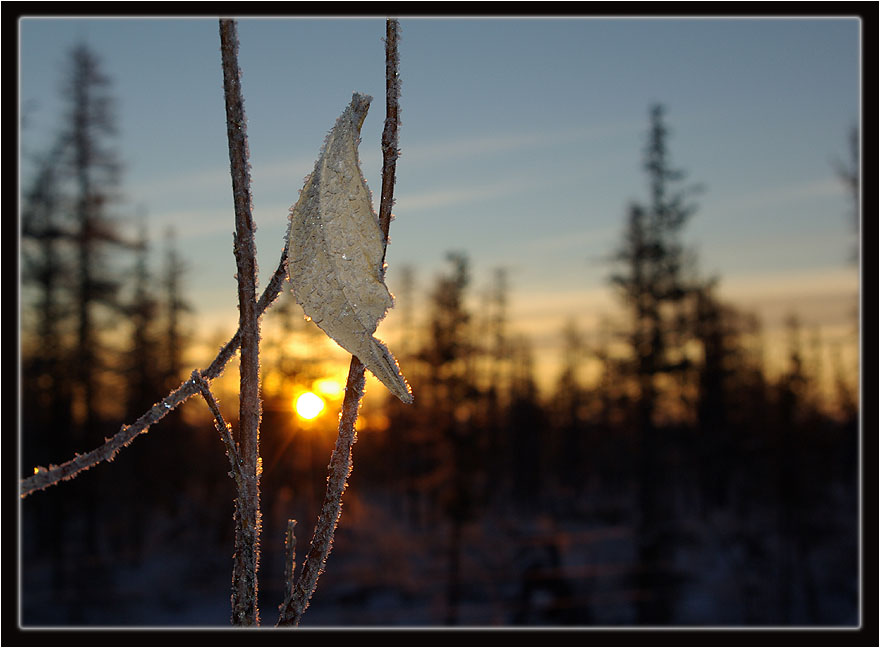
[[244, 459]]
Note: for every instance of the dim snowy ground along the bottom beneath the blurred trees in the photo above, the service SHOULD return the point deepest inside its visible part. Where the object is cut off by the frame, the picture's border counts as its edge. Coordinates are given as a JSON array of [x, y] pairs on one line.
[[564, 566]]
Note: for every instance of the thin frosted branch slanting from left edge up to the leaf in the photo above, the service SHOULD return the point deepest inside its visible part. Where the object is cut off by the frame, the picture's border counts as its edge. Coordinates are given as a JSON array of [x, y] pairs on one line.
[[45, 477]]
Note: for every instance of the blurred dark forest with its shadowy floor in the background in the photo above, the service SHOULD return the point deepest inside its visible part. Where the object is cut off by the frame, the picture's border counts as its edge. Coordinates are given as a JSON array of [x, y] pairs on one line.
[[683, 484]]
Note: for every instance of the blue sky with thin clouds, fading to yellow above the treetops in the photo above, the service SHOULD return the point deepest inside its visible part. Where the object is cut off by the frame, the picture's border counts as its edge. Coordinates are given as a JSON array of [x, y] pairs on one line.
[[521, 144]]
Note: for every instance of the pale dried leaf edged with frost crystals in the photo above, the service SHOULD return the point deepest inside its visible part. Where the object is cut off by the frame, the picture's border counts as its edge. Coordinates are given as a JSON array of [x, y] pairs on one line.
[[336, 252]]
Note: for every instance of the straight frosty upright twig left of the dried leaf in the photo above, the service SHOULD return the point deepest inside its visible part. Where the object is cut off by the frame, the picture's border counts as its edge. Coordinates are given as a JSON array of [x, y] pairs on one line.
[[245, 611]]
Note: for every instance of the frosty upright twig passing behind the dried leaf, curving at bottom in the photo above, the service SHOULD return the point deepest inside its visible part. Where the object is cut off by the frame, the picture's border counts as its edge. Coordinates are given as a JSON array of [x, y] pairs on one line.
[[340, 461]]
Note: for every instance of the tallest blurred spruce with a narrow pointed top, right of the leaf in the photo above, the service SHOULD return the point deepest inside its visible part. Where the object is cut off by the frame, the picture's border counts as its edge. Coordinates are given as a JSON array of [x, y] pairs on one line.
[[653, 285]]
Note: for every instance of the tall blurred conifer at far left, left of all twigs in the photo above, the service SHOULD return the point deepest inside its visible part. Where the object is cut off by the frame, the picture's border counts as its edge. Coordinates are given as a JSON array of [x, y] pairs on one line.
[[69, 231]]
